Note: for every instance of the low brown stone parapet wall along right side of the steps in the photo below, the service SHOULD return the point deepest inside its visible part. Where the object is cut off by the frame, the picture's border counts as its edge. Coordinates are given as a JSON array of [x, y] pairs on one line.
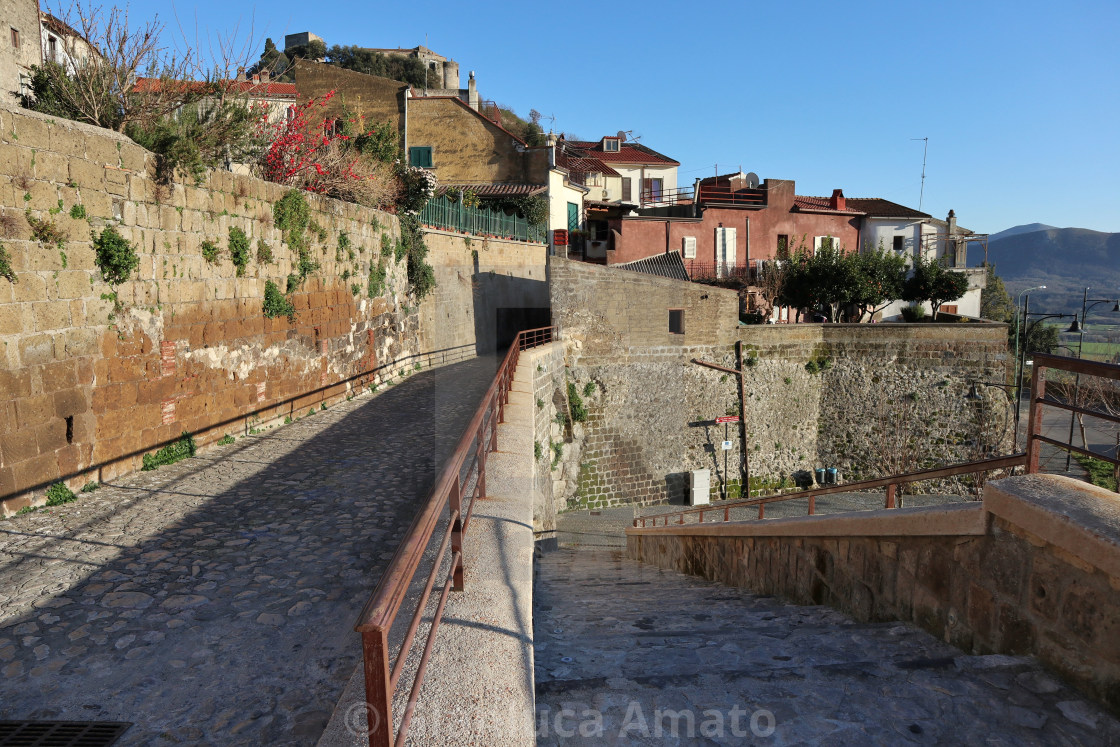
[[1033, 571]]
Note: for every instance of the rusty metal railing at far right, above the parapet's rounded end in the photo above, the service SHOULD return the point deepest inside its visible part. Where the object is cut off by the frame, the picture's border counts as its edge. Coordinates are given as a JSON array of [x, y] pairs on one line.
[[1039, 400]]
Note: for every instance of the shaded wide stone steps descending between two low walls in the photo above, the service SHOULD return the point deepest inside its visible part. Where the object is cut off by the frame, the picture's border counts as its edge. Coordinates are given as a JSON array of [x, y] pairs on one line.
[[618, 641]]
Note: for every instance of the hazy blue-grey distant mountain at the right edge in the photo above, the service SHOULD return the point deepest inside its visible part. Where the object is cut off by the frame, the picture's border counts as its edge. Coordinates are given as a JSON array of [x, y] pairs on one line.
[[1066, 260]]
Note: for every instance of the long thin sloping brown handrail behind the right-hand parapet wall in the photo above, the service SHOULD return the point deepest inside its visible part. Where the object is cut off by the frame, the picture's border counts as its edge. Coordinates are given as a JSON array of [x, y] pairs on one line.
[[891, 483]]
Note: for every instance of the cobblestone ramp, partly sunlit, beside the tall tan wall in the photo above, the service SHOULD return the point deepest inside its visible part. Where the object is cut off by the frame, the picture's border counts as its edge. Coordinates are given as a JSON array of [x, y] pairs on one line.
[[213, 602]]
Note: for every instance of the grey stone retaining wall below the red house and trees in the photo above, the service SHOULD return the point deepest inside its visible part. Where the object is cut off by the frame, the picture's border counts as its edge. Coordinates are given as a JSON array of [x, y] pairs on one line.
[[867, 400]]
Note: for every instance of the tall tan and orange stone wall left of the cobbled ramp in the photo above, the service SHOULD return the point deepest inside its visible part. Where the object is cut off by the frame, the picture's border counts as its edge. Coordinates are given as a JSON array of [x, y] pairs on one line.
[[89, 385]]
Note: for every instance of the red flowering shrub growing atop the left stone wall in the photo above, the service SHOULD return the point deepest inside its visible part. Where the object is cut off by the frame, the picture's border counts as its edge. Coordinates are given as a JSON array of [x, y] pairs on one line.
[[310, 151]]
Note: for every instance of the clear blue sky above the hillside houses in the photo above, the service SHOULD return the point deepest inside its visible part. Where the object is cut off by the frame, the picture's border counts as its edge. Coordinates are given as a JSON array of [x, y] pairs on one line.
[[1021, 101]]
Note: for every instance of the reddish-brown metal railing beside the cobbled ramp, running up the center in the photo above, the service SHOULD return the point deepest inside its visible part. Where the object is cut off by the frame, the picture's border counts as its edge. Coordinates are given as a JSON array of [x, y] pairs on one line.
[[443, 511]]
